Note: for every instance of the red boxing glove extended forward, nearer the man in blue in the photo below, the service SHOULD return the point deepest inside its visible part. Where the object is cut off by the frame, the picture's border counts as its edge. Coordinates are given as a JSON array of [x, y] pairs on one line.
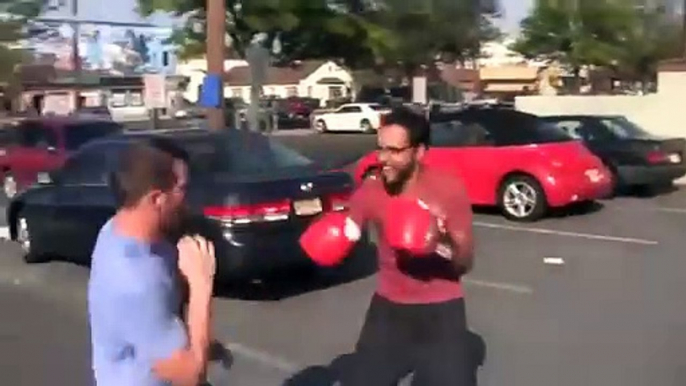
[[329, 239]]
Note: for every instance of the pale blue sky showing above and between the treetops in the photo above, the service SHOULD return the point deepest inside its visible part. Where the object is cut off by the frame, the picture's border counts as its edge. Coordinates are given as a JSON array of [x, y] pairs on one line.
[[124, 11]]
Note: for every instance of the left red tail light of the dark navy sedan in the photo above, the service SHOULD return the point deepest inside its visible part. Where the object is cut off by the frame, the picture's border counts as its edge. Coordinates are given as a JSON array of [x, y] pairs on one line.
[[245, 214]]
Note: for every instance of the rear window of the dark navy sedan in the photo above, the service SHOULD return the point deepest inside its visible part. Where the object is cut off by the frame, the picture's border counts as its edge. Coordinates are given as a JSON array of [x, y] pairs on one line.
[[249, 155]]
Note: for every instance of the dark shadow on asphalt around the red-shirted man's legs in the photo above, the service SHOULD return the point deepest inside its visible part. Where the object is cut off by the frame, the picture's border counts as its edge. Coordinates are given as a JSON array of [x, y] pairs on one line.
[[331, 374]]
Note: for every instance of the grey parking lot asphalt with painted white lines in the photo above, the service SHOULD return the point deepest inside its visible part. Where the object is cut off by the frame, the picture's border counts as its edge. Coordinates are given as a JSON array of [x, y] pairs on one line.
[[606, 309]]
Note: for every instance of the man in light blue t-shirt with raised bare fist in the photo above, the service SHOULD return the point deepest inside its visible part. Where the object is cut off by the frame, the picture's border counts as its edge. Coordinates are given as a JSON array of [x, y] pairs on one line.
[[138, 335]]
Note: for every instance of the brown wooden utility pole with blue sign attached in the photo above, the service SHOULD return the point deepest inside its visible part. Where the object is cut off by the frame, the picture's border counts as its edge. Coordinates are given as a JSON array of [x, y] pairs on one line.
[[216, 32]]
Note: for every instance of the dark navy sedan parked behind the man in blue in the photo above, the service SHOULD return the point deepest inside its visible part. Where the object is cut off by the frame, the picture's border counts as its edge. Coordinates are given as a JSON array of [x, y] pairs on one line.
[[249, 194]]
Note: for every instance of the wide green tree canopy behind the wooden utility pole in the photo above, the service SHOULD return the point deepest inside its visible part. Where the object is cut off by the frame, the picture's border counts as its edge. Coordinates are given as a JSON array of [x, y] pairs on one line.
[[361, 33]]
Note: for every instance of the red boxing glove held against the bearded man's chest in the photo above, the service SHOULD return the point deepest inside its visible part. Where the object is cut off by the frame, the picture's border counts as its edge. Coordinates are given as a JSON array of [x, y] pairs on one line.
[[409, 226]]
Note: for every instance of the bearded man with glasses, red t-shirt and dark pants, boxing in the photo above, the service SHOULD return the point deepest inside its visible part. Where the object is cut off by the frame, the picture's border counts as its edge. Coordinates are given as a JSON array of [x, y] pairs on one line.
[[416, 320]]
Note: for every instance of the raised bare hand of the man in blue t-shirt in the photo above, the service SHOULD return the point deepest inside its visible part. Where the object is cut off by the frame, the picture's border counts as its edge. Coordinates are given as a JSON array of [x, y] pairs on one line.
[[197, 261]]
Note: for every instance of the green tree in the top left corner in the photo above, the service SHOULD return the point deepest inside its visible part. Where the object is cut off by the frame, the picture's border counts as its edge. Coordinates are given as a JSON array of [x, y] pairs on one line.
[[13, 17]]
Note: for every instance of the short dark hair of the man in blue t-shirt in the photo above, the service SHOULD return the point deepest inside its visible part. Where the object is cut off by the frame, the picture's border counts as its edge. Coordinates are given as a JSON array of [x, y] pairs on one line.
[[145, 165]]
